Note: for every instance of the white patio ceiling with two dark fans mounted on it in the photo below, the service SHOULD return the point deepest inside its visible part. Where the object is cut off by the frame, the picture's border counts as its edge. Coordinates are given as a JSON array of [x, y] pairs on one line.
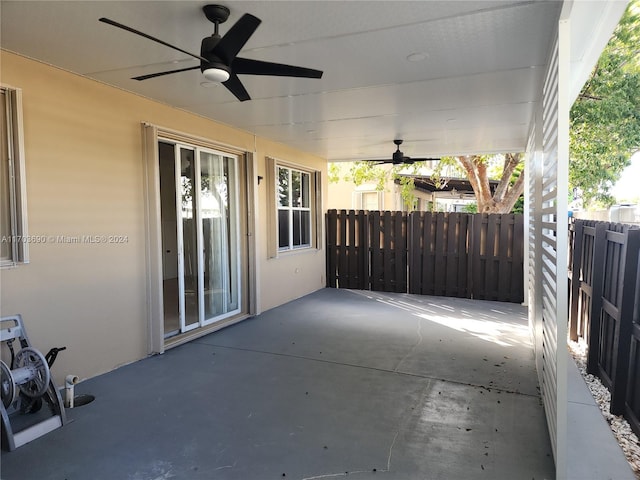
[[473, 92]]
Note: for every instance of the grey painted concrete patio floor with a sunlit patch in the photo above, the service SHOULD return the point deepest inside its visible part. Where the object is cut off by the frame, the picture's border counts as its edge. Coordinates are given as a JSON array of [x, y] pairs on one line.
[[338, 383]]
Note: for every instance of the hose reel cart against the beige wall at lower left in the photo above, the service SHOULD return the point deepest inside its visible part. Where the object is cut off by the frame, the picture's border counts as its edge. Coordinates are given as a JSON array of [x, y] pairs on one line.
[[26, 387]]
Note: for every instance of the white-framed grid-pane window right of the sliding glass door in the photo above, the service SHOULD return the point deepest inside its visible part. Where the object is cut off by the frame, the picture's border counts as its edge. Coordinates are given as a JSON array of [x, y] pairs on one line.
[[293, 195]]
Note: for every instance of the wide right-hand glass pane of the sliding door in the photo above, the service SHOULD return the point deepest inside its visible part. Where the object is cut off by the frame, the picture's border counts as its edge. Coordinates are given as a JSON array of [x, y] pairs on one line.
[[218, 204]]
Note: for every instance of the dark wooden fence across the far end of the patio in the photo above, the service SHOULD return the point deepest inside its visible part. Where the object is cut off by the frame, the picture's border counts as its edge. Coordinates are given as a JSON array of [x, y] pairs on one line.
[[448, 254]]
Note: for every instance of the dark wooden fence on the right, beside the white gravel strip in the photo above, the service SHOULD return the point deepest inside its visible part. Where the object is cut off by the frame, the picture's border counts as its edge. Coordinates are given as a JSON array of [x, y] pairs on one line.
[[605, 308]]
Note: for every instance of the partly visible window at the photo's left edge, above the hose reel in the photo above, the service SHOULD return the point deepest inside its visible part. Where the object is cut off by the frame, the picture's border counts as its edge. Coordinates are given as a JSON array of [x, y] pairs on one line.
[[14, 239]]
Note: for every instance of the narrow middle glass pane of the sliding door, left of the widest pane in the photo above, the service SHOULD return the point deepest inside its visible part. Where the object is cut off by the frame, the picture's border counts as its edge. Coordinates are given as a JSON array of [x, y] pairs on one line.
[[188, 210]]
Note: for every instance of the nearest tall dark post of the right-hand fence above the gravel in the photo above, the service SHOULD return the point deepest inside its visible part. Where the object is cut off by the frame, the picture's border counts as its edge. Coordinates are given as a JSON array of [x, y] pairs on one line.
[[625, 323]]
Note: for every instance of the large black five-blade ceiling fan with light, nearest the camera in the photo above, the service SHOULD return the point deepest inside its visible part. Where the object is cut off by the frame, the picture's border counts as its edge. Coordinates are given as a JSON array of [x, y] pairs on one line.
[[218, 55]]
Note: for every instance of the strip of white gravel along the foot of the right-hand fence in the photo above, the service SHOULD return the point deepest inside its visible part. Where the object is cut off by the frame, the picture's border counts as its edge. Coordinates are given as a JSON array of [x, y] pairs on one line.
[[619, 426]]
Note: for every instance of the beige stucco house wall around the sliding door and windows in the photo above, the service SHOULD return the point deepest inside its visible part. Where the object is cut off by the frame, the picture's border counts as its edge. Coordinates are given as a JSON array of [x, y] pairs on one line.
[[85, 171]]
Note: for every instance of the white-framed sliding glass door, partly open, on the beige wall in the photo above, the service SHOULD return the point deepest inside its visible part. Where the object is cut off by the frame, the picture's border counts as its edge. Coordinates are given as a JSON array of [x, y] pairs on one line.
[[199, 211]]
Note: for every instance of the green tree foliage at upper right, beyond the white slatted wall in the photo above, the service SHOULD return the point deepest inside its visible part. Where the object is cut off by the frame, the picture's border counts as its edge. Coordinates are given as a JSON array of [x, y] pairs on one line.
[[605, 119]]
